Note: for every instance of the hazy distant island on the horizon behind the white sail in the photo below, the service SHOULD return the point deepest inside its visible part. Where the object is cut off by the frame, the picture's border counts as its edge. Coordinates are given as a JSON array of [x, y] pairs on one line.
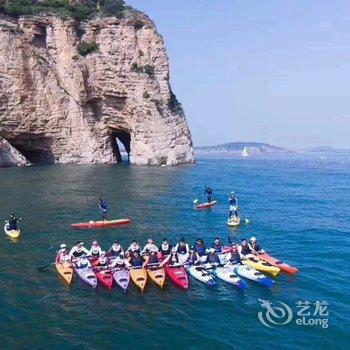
[[252, 148]]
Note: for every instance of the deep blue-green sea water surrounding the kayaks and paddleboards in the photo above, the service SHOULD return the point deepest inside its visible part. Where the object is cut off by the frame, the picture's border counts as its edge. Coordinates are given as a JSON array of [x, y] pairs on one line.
[[299, 210]]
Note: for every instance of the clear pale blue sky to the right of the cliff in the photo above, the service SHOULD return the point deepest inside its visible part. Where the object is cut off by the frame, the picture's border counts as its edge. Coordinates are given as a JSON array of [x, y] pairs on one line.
[[267, 71]]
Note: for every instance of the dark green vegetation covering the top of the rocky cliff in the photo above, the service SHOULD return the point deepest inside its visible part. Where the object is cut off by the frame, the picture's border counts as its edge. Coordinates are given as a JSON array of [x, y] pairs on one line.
[[63, 8]]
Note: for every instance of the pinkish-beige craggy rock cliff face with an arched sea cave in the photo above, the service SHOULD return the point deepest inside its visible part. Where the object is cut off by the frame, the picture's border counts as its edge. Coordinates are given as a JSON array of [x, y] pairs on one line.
[[57, 105]]
